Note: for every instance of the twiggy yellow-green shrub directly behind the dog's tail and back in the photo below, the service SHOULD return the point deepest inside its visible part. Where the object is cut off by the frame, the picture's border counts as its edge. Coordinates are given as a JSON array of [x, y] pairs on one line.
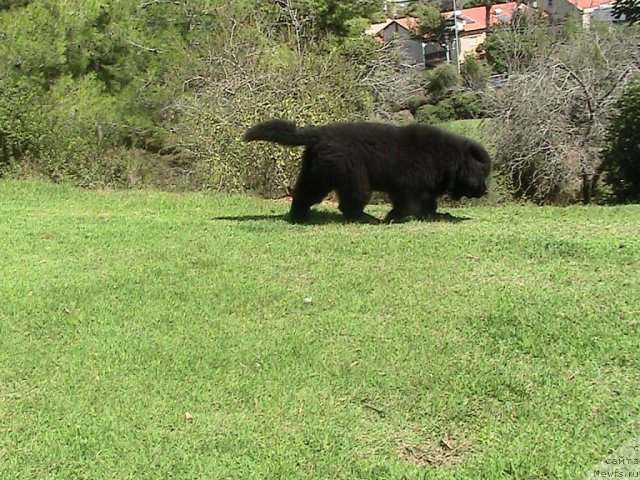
[[310, 91]]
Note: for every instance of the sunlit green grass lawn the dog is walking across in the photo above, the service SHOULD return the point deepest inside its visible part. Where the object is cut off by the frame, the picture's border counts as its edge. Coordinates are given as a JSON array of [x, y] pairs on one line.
[[147, 335]]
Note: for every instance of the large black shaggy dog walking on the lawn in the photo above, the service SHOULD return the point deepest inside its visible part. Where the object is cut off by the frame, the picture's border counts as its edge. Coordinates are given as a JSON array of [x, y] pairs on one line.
[[413, 164]]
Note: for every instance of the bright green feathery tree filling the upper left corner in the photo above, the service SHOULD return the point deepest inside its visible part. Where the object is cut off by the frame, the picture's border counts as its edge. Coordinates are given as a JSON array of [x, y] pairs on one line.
[[96, 72]]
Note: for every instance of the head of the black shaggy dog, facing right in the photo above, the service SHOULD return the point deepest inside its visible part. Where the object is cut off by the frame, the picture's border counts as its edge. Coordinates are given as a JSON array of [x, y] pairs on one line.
[[472, 174]]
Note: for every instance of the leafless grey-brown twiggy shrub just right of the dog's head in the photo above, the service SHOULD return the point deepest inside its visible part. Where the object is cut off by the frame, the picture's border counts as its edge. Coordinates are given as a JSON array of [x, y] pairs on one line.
[[551, 118]]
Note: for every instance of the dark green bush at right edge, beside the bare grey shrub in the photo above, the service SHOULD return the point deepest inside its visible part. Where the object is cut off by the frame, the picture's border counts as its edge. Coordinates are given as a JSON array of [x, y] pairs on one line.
[[622, 154]]
